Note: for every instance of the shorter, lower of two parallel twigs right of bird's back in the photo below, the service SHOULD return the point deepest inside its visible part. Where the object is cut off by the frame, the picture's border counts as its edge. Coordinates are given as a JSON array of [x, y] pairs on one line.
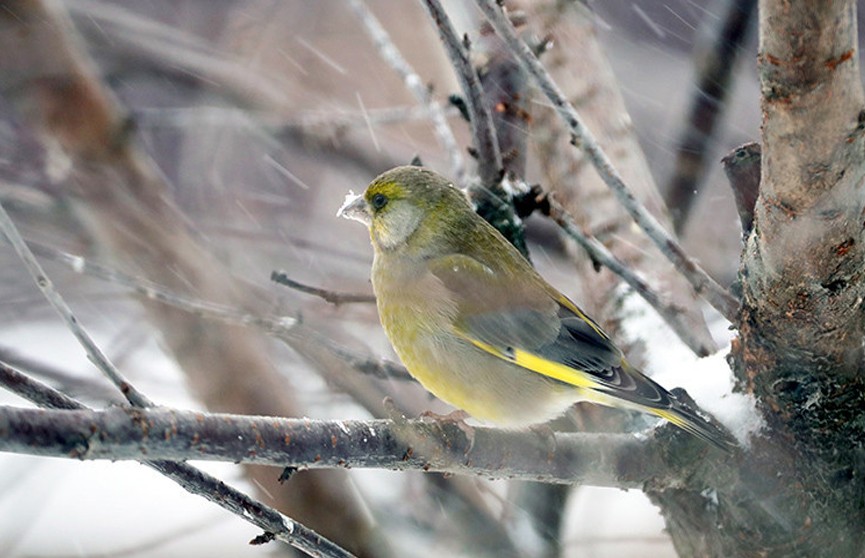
[[601, 255]]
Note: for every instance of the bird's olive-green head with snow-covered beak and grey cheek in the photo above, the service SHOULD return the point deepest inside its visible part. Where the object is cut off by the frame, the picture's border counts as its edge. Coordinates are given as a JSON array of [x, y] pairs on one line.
[[404, 201]]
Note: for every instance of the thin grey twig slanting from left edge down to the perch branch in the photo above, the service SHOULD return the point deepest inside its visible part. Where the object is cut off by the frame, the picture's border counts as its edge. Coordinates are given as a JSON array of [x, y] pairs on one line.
[[94, 353]]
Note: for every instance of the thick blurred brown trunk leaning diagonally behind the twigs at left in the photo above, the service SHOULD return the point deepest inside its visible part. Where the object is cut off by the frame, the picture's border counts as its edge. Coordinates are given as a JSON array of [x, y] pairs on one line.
[[124, 201]]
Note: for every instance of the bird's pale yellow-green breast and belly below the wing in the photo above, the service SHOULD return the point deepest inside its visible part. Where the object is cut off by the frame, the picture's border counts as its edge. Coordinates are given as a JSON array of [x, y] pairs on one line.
[[418, 319]]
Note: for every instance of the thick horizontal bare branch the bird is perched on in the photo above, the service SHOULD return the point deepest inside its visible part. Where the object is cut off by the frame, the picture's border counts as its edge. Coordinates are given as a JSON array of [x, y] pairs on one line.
[[619, 460]]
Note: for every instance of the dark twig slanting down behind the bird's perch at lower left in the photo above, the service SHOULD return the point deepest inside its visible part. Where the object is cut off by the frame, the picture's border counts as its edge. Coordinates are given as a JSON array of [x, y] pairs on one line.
[[191, 479]]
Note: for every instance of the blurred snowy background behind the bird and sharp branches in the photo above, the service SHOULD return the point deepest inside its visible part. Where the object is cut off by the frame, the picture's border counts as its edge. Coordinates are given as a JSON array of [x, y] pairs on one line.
[[253, 119]]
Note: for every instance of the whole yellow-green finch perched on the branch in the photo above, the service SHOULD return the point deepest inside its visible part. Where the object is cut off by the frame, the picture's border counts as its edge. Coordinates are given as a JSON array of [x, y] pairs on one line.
[[478, 327]]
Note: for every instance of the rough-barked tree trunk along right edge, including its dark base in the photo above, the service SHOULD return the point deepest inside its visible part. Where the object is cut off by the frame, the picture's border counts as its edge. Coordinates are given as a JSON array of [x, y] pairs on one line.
[[799, 490]]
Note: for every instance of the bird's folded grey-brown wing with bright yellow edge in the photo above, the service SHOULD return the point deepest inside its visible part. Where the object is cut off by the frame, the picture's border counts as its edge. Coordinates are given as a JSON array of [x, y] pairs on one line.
[[529, 323]]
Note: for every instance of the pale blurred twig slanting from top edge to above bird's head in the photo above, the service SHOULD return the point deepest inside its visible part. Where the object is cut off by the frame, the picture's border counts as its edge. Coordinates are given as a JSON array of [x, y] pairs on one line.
[[392, 56]]
